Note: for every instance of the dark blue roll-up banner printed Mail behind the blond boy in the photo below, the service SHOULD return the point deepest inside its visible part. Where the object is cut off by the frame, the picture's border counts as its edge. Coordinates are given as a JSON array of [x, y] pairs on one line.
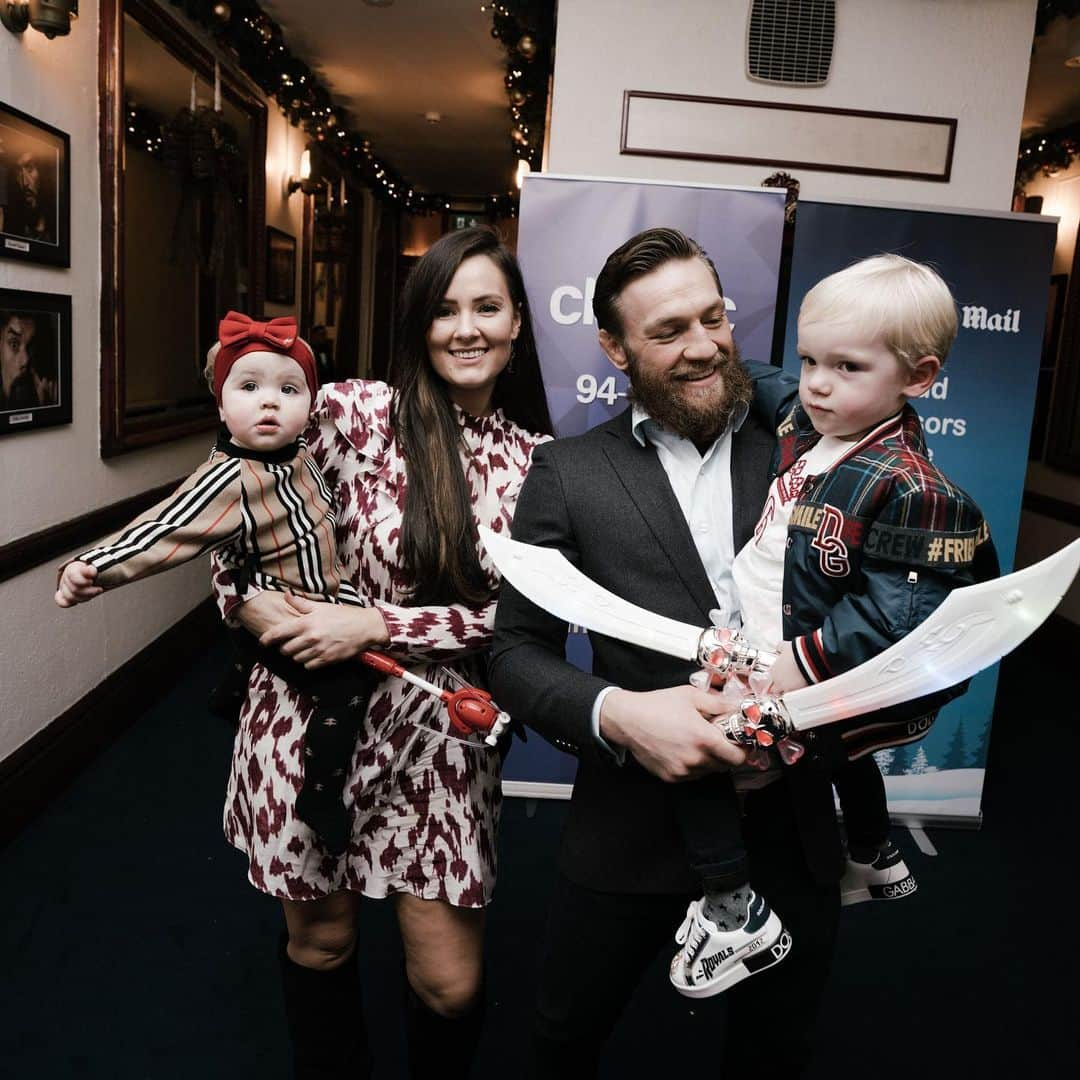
[[977, 420]]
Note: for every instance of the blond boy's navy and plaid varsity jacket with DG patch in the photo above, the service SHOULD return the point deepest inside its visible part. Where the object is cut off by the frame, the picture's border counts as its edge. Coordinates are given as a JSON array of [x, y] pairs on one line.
[[874, 546]]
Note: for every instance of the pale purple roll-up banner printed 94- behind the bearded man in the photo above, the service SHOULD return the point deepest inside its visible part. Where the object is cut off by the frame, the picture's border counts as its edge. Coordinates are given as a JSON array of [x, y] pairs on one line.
[[569, 227]]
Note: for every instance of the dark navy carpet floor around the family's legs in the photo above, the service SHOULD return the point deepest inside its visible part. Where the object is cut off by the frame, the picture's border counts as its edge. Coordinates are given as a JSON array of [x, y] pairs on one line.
[[133, 948]]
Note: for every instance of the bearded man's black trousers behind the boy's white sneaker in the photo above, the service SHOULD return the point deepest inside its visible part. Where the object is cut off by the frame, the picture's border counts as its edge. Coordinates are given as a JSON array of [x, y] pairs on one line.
[[600, 944]]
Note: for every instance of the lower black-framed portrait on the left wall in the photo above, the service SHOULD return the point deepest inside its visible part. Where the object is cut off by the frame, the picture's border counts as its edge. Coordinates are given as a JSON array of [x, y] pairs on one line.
[[35, 361]]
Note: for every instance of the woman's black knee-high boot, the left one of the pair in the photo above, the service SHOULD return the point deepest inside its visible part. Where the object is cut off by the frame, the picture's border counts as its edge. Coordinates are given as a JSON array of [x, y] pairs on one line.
[[326, 1020]]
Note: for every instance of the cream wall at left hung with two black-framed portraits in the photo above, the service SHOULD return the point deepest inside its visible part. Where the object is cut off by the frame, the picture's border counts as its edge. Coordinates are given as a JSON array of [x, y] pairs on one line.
[[49, 658]]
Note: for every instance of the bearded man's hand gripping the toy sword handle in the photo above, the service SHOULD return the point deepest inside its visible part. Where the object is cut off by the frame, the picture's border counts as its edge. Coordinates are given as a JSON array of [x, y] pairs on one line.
[[668, 732]]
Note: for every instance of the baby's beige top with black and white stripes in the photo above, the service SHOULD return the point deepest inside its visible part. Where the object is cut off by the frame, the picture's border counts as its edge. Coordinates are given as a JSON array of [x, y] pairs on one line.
[[272, 514]]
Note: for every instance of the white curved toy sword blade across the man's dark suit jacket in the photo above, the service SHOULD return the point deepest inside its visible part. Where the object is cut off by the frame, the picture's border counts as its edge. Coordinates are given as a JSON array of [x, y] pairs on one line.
[[544, 576]]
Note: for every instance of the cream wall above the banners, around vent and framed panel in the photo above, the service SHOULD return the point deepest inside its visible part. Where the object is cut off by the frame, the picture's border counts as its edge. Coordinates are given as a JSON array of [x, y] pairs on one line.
[[964, 59]]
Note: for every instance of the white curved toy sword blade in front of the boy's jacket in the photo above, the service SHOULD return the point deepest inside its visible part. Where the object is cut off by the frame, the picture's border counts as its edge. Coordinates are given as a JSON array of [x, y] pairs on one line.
[[974, 628]]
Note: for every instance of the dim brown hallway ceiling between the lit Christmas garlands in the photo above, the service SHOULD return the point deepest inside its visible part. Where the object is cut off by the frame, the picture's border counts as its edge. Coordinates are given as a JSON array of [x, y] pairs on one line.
[[390, 65]]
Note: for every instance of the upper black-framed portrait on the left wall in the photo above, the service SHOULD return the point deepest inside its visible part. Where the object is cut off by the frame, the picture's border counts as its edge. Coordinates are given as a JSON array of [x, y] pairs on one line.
[[35, 191]]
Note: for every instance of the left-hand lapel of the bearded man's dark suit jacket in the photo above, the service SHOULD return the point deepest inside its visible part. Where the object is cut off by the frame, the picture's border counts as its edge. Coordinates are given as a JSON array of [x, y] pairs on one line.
[[646, 484]]
